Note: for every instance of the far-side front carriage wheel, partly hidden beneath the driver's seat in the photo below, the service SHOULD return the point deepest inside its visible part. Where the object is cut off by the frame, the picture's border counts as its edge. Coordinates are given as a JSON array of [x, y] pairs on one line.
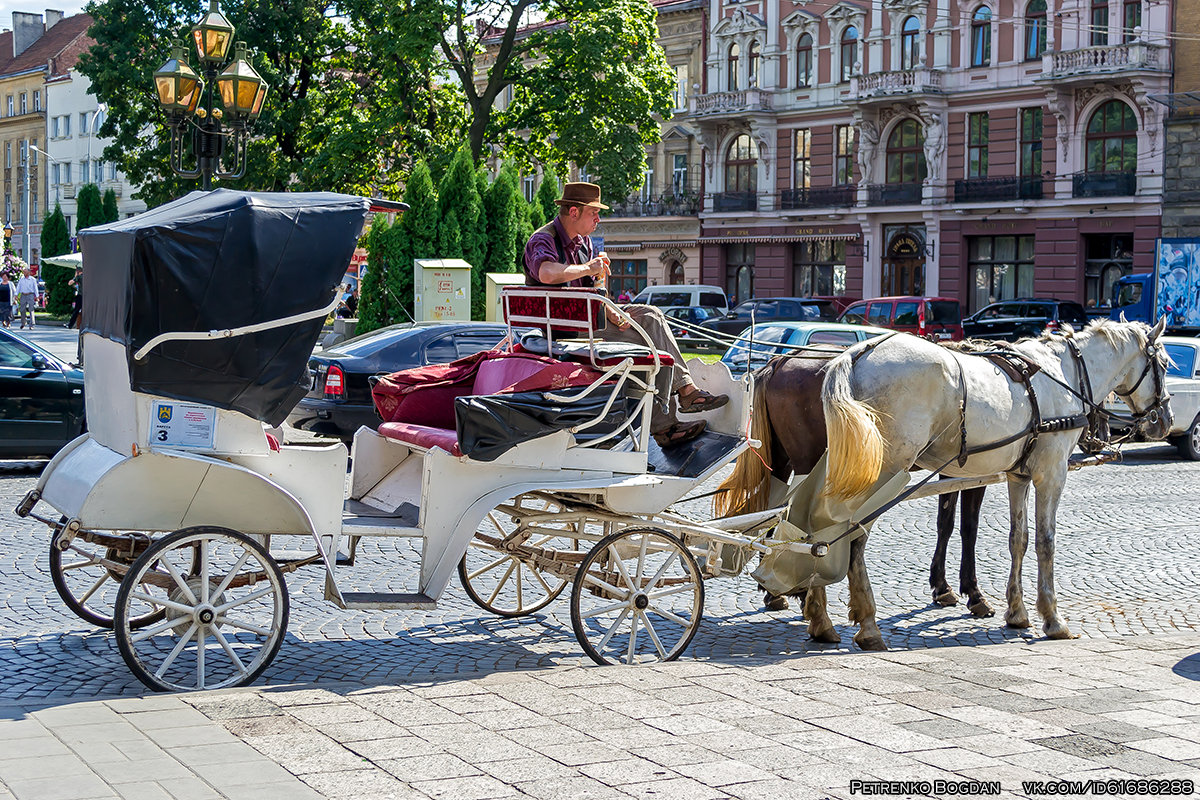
[[503, 584]]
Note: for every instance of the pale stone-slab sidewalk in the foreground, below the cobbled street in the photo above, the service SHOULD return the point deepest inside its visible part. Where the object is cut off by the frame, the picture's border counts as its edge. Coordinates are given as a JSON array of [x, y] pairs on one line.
[[782, 729]]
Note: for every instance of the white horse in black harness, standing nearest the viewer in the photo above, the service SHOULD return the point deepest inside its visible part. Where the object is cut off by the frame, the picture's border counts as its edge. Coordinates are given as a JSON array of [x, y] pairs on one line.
[[907, 402]]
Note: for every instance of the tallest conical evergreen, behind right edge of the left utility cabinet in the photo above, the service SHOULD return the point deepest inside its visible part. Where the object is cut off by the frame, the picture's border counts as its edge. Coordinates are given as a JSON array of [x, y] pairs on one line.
[[460, 222]]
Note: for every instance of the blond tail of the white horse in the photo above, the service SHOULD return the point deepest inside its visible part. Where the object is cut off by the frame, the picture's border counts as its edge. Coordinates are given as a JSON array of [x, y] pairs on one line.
[[856, 446]]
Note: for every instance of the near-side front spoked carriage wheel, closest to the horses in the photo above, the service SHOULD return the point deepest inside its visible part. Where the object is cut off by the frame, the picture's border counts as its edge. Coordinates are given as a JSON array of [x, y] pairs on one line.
[[639, 597]]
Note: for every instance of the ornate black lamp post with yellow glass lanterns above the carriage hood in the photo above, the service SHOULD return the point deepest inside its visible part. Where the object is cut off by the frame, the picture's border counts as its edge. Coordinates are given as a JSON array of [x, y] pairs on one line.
[[190, 100]]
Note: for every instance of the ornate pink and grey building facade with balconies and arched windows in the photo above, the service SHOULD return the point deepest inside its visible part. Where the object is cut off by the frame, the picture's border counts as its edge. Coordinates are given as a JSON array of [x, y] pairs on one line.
[[980, 151]]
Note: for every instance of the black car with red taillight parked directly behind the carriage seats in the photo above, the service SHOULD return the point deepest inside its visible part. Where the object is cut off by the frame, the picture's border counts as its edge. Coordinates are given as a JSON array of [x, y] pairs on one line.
[[339, 400]]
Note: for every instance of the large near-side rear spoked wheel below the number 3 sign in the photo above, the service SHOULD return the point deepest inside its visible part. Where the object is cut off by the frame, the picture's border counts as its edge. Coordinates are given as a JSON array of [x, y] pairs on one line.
[[225, 605]]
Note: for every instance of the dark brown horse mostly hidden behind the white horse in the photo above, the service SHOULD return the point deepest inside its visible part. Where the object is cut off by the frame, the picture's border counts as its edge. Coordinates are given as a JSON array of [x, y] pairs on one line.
[[789, 390]]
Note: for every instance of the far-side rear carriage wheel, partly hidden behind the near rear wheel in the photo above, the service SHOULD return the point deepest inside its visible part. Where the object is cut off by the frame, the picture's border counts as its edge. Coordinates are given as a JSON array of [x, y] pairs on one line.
[[88, 586]]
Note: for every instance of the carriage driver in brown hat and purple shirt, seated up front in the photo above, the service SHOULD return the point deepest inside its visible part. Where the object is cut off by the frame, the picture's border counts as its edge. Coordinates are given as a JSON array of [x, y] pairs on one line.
[[560, 255]]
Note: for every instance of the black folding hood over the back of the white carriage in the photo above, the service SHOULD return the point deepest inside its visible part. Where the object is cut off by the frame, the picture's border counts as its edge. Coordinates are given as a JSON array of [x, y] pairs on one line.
[[218, 261]]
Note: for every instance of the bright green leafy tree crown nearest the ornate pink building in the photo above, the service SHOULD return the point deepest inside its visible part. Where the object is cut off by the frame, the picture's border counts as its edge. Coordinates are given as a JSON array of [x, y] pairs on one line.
[[590, 91]]
